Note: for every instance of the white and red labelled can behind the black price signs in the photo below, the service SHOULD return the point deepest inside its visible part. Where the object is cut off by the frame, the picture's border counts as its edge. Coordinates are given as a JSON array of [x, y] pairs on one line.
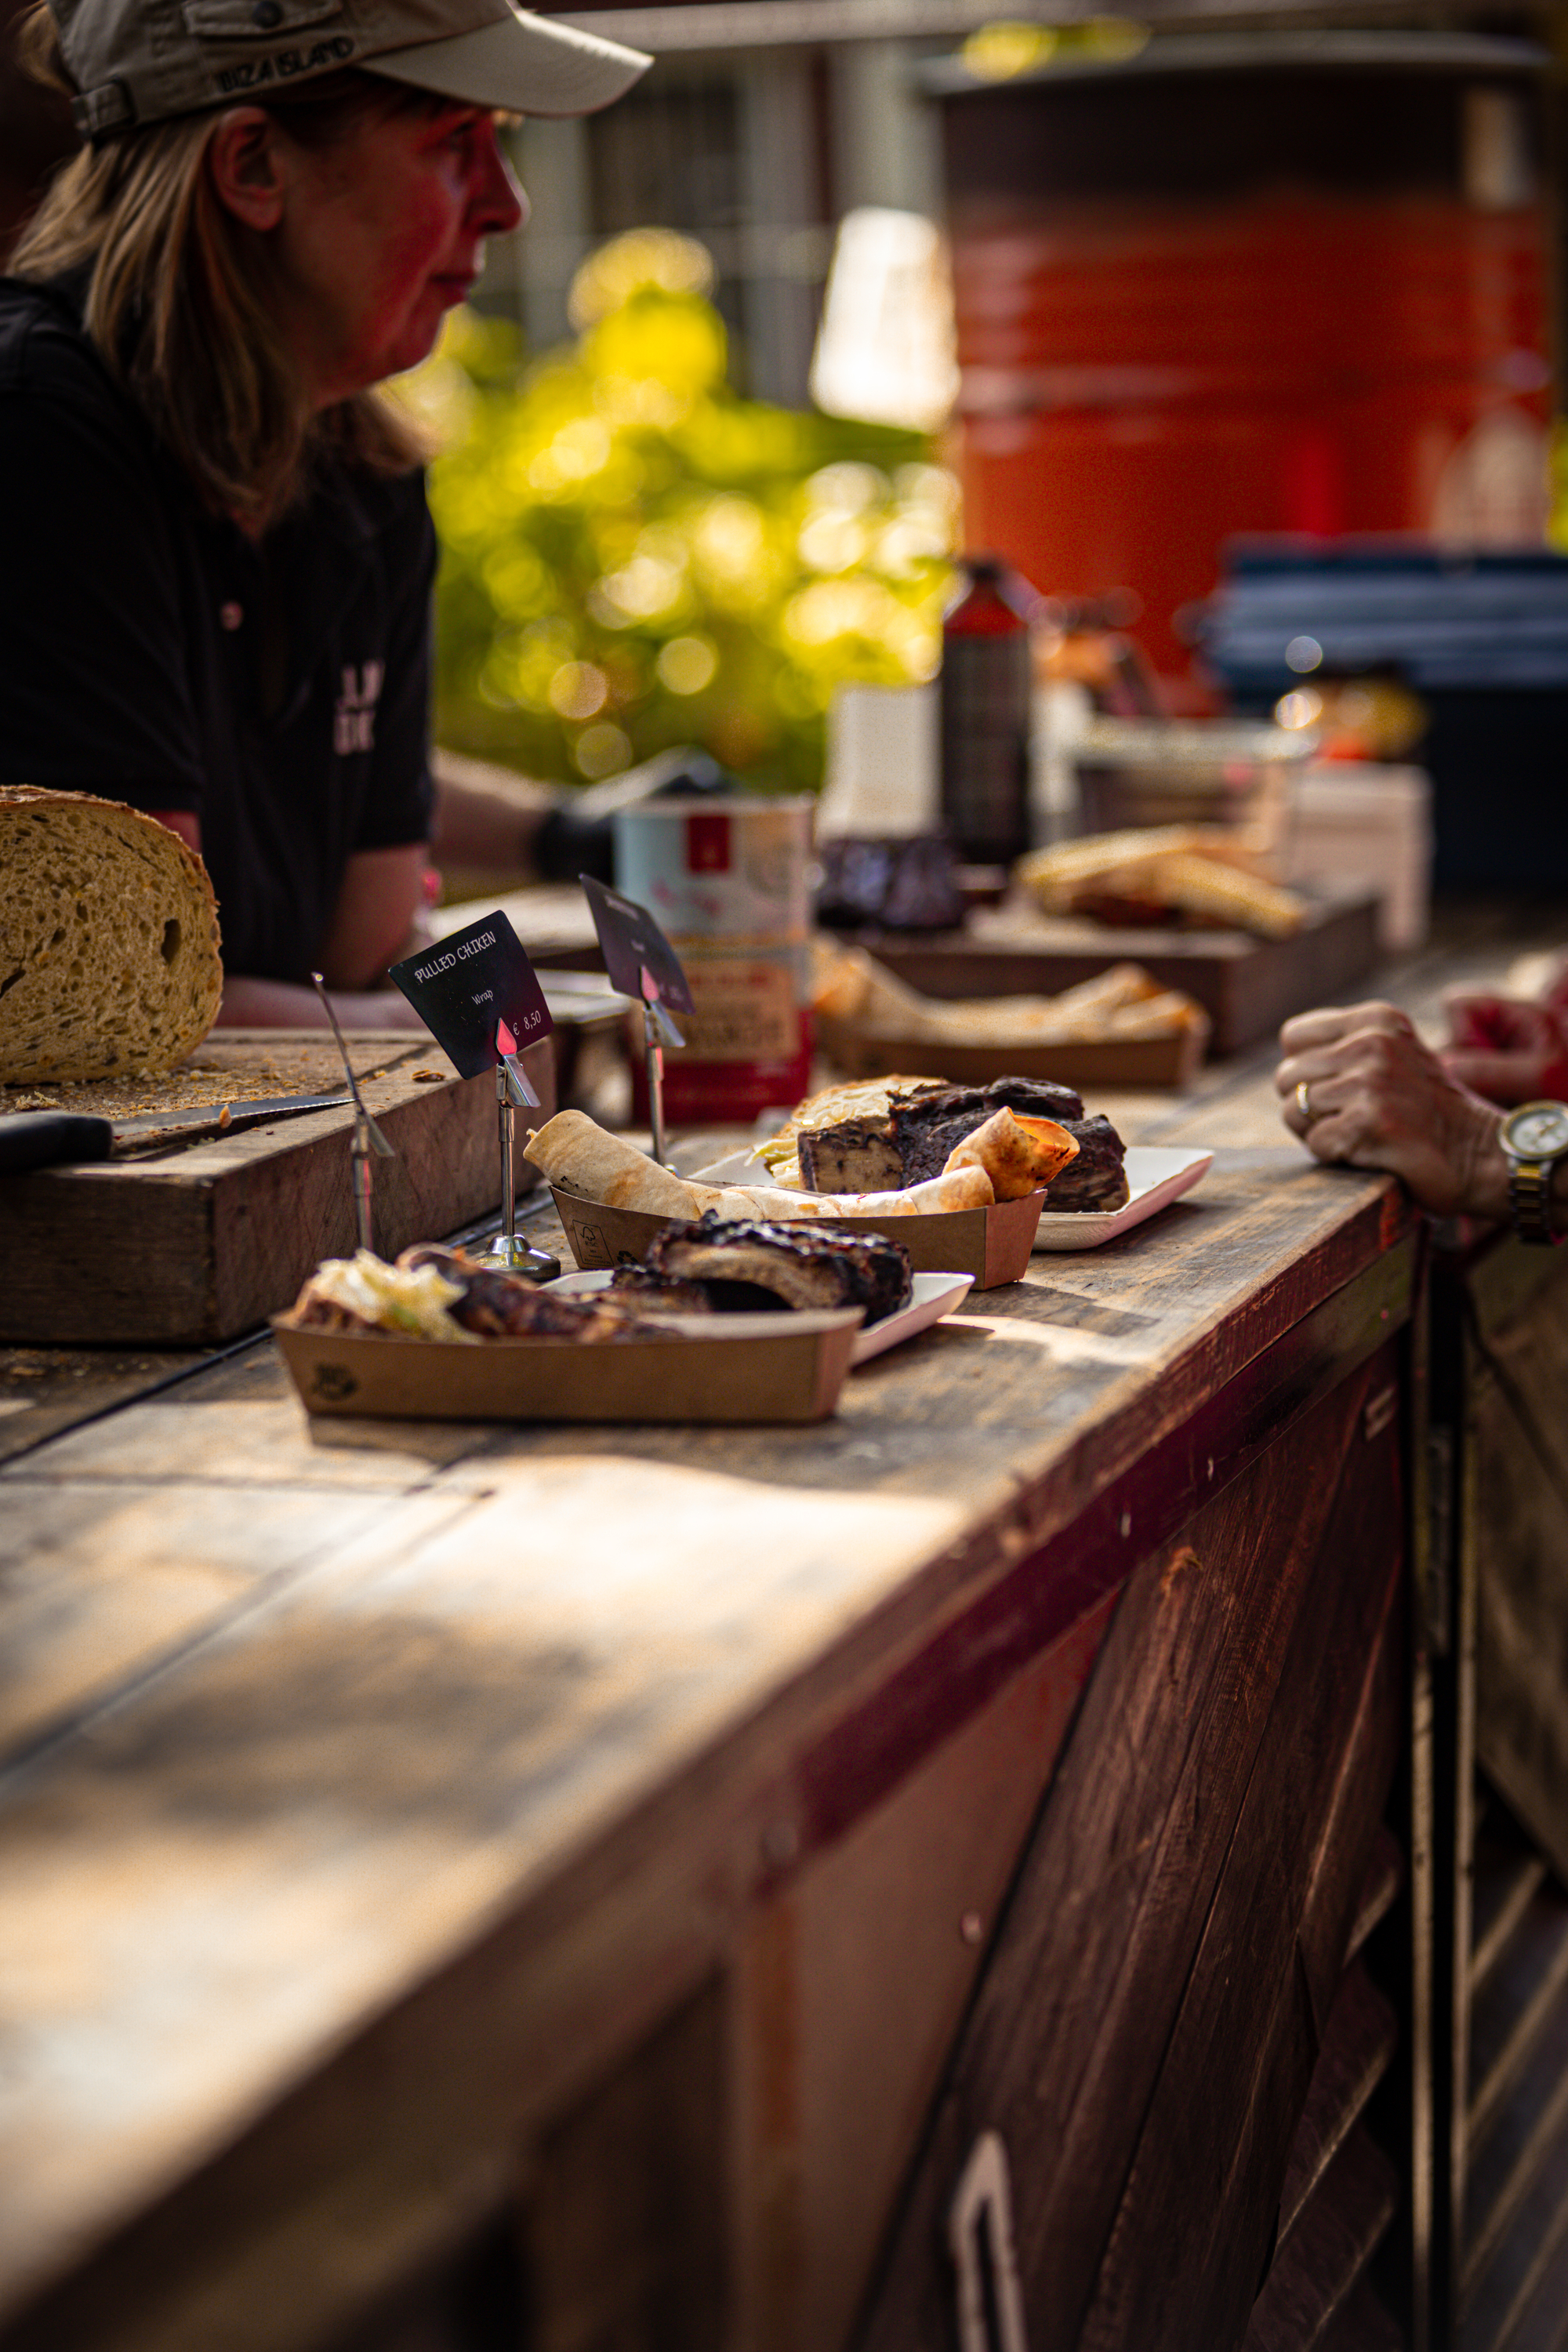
[[730, 886]]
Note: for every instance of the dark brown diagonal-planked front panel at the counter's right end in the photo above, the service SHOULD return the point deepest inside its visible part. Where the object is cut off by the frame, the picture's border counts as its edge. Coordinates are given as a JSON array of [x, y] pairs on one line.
[[1158, 1991]]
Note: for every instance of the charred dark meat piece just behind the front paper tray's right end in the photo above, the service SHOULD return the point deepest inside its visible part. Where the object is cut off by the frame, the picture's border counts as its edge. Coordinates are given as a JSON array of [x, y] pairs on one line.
[[746, 1267]]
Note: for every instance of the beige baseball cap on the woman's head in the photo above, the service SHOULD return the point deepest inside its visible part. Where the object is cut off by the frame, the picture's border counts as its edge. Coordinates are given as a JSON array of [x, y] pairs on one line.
[[152, 60]]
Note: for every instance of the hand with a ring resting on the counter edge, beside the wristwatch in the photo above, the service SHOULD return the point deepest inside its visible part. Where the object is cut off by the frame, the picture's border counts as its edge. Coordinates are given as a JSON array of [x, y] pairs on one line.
[[1360, 1088]]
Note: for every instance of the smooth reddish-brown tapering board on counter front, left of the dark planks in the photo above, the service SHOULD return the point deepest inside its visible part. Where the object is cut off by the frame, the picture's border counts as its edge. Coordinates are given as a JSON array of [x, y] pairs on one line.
[[859, 1975]]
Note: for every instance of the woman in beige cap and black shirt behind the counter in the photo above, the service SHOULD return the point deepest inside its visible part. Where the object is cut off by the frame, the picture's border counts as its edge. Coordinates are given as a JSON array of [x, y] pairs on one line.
[[215, 599]]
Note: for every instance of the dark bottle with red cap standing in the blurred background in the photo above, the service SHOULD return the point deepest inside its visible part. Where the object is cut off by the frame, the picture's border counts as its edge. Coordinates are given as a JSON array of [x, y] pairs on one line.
[[986, 714]]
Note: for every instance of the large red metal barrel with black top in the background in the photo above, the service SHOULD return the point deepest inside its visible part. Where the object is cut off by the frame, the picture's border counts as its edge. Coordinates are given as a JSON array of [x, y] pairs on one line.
[[1245, 300]]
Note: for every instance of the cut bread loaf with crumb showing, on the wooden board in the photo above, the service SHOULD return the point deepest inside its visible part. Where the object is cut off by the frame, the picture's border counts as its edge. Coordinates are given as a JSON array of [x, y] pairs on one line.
[[109, 940]]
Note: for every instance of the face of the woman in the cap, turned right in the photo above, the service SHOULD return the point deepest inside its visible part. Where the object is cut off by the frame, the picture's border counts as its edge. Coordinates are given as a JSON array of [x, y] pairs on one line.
[[382, 234]]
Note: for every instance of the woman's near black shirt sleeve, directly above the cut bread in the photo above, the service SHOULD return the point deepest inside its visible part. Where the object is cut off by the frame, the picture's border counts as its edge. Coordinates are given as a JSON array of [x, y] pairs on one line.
[[93, 636]]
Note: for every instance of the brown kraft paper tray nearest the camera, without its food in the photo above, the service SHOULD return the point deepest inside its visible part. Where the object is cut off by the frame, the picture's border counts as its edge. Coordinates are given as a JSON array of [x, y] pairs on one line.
[[756, 1368]]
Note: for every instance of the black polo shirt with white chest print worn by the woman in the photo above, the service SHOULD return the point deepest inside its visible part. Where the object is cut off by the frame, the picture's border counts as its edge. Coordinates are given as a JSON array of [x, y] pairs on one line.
[[156, 655]]
